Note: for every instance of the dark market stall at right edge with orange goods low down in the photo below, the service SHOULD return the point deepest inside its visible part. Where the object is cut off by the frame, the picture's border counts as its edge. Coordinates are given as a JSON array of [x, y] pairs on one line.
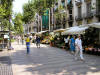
[[92, 37]]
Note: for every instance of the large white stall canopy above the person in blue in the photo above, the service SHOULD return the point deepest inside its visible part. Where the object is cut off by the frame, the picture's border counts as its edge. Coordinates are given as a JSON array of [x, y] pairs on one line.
[[75, 30]]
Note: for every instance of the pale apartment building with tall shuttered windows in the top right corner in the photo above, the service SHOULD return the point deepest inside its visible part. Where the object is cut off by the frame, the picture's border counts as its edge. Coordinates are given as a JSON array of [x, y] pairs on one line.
[[86, 11]]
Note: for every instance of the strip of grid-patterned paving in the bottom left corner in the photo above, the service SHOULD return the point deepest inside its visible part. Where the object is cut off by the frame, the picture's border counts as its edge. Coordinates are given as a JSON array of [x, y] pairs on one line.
[[5, 63]]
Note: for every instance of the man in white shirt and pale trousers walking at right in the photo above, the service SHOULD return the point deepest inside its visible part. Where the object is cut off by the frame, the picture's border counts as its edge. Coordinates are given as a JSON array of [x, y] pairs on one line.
[[78, 45]]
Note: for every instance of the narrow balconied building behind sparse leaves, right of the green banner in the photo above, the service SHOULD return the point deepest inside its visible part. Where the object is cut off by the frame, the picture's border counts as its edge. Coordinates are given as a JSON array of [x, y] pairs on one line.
[[59, 15]]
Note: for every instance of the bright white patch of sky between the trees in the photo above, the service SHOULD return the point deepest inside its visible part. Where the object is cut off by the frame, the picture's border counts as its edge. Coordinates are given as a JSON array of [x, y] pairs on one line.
[[17, 5]]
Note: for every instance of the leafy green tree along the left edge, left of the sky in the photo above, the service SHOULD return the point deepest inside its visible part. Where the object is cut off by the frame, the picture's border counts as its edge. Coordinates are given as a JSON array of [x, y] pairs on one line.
[[5, 12]]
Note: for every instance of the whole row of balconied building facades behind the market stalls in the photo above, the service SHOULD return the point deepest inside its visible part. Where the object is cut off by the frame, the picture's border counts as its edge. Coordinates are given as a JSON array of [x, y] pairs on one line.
[[68, 13]]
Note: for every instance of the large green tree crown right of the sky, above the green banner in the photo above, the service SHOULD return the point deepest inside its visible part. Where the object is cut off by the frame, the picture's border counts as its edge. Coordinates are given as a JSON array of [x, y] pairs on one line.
[[35, 6]]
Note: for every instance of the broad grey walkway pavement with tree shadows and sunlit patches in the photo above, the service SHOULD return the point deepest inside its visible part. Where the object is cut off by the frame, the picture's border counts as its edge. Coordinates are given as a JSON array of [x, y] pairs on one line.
[[51, 61]]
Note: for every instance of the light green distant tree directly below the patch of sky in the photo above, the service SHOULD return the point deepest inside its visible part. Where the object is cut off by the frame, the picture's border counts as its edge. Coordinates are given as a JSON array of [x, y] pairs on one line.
[[18, 23]]
